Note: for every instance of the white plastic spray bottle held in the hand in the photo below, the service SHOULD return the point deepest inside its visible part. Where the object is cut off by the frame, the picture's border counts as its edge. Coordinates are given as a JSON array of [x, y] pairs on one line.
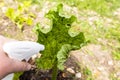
[[21, 50]]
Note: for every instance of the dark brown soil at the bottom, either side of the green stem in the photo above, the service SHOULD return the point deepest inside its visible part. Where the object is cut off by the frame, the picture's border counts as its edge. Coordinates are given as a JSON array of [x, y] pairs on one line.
[[43, 75]]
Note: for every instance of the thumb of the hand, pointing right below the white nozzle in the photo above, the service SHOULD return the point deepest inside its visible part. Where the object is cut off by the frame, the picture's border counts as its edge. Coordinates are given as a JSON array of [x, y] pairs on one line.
[[19, 66]]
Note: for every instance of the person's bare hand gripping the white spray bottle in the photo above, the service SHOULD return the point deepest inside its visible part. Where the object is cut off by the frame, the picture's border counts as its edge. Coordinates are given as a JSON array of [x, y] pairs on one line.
[[8, 65]]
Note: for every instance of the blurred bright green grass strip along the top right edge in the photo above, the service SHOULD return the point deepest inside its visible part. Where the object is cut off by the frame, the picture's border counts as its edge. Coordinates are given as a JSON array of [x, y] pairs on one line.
[[103, 7]]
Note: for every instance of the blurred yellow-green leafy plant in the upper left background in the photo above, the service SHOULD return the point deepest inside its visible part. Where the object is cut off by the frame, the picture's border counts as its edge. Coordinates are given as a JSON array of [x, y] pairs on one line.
[[18, 17]]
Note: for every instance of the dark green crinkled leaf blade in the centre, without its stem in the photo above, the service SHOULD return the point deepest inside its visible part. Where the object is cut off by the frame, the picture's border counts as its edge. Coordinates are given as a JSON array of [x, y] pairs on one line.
[[57, 41]]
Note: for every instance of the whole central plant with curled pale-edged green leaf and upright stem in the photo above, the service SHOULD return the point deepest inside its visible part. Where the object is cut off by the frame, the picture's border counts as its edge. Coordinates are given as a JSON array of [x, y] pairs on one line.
[[60, 35]]
